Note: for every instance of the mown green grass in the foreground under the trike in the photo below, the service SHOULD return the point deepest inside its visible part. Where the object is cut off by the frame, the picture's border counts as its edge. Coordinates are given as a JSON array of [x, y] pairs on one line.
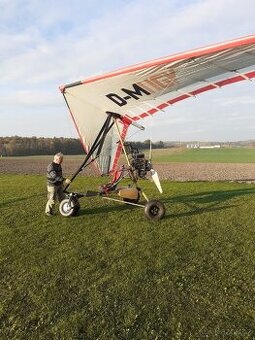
[[109, 273]]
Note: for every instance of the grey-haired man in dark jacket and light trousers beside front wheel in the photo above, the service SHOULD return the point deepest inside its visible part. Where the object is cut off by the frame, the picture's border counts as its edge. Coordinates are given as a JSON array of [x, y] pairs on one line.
[[55, 187]]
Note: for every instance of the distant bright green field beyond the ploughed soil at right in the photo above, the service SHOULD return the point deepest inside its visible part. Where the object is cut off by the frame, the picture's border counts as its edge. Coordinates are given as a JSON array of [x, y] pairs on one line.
[[223, 155]]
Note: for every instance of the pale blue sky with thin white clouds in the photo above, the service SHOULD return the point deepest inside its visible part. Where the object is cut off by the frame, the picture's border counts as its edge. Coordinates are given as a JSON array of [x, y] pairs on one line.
[[45, 44]]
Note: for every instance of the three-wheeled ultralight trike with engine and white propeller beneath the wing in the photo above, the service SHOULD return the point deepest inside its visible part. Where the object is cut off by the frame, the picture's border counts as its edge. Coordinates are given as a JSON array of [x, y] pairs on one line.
[[137, 167]]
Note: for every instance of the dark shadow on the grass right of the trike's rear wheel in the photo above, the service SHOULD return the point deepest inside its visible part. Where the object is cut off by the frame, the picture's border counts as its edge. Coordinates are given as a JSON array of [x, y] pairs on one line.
[[209, 201]]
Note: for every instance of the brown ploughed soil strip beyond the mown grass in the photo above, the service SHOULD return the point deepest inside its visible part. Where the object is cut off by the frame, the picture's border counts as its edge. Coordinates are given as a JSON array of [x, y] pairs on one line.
[[171, 171]]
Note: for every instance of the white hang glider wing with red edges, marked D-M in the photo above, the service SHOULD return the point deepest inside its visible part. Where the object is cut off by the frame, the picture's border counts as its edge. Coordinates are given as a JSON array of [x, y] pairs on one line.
[[141, 90]]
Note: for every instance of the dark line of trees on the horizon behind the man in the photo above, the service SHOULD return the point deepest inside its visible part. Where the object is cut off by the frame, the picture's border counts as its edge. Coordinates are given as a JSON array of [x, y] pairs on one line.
[[29, 146]]
